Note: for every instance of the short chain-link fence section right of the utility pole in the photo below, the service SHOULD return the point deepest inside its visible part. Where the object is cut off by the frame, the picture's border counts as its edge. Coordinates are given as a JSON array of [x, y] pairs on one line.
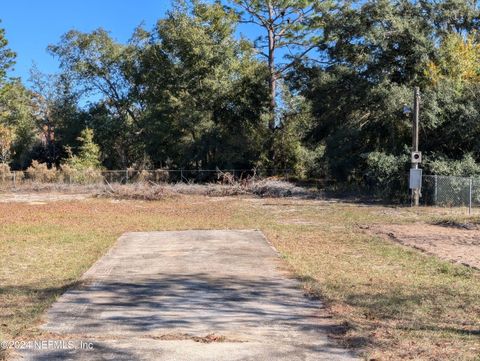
[[450, 191]]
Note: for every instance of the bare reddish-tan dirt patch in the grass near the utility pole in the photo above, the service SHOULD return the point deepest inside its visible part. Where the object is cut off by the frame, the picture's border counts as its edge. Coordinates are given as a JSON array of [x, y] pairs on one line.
[[457, 244]]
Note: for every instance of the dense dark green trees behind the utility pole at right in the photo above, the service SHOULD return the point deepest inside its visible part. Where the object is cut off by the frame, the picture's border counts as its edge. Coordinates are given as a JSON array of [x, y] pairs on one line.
[[377, 51]]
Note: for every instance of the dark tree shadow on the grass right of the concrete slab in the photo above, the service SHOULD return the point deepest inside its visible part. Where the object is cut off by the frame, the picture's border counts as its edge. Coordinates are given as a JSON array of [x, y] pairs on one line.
[[397, 310]]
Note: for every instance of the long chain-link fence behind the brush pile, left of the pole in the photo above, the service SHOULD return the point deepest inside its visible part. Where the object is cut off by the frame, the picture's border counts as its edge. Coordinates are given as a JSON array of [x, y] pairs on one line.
[[17, 179]]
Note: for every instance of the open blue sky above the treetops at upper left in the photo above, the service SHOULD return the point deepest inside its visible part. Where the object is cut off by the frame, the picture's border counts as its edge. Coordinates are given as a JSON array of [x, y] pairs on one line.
[[32, 25]]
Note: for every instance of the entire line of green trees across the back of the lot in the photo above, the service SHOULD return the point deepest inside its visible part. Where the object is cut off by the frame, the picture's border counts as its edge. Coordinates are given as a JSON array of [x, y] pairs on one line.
[[189, 93]]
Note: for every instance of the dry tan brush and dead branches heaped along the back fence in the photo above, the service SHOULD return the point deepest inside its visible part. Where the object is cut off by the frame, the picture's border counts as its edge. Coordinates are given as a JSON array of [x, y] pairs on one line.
[[152, 185]]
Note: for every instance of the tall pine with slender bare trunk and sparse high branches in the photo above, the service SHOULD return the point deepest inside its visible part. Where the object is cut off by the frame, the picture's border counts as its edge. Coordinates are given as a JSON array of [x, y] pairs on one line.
[[287, 26]]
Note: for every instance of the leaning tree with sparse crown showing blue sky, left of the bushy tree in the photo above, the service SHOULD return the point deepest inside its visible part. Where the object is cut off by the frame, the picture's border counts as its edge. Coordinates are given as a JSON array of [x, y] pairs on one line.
[[100, 67]]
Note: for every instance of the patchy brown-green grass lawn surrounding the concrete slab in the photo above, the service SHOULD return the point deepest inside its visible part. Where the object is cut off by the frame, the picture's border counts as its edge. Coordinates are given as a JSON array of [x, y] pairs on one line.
[[391, 301]]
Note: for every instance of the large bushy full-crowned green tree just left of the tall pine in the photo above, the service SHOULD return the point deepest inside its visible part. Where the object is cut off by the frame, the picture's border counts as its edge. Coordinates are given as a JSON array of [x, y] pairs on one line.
[[204, 92]]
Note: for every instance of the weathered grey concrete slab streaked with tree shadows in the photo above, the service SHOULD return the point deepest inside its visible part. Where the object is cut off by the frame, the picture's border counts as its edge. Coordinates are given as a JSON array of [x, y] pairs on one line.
[[190, 295]]
